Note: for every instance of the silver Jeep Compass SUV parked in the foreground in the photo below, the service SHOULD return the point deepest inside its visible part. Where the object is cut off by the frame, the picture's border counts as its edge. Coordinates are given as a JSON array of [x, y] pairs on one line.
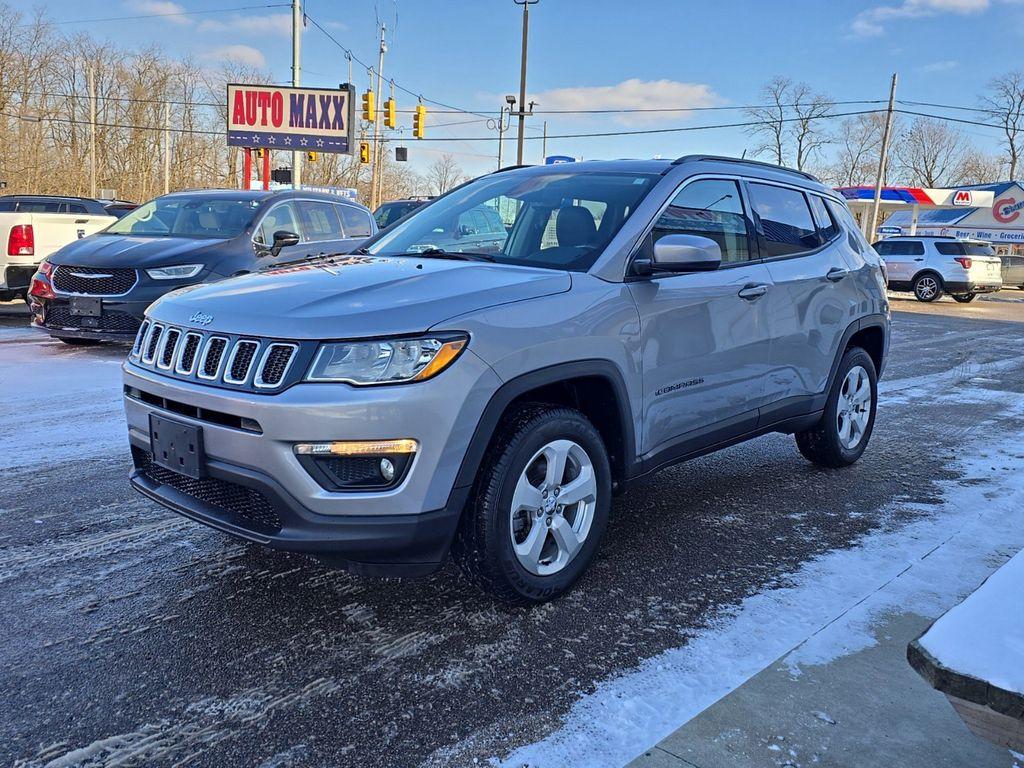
[[382, 409]]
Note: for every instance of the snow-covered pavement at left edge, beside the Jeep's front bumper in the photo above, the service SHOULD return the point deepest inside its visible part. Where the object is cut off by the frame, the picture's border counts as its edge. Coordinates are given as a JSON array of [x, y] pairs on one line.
[[46, 417]]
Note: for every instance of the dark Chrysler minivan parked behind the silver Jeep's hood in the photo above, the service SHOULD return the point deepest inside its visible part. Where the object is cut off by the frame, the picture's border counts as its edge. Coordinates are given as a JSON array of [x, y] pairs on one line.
[[99, 288]]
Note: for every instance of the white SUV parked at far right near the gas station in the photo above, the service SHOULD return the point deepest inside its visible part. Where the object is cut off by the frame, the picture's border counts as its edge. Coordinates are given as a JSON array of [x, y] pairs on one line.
[[933, 267]]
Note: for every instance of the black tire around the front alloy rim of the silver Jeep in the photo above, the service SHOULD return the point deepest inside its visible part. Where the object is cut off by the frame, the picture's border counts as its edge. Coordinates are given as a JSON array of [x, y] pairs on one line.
[[557, 425]]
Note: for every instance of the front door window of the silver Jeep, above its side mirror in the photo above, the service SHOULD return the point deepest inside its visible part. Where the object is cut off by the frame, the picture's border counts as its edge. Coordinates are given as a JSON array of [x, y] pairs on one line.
[[710, 208]]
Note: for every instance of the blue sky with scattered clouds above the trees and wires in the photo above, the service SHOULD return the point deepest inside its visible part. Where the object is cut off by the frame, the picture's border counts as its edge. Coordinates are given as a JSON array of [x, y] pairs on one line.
[[599, 54]]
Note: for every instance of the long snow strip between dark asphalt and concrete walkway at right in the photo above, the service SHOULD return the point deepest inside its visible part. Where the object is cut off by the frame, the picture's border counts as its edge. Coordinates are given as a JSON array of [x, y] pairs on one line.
[[825, 613]]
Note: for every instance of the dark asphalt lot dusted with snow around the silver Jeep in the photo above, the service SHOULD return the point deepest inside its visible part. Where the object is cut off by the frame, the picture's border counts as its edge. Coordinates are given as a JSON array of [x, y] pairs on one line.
[[138, 636]]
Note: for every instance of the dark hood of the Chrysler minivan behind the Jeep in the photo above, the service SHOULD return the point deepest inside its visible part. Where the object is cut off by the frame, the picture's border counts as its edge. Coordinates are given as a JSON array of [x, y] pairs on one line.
[[134, 251]]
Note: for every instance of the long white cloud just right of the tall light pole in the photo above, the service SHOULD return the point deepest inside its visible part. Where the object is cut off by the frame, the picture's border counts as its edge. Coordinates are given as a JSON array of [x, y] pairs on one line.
[[631, 95]]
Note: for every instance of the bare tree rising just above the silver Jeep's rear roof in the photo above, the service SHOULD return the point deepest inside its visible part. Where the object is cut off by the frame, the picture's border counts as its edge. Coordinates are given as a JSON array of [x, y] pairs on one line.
[[791, 122]]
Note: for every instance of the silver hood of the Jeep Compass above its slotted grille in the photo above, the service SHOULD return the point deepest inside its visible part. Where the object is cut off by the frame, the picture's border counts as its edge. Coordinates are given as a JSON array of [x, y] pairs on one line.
[[355, 296]]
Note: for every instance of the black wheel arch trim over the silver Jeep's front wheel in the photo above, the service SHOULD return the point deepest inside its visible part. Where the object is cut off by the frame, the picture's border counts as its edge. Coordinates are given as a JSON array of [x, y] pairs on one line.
[[585, 386]]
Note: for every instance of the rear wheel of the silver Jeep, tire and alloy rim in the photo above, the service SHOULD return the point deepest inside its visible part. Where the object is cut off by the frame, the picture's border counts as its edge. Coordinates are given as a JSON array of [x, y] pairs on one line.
[[842, 435]]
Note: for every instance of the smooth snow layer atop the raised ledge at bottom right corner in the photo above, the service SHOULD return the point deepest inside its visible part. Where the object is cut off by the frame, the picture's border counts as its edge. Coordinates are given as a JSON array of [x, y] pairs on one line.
[[984, 637]]
